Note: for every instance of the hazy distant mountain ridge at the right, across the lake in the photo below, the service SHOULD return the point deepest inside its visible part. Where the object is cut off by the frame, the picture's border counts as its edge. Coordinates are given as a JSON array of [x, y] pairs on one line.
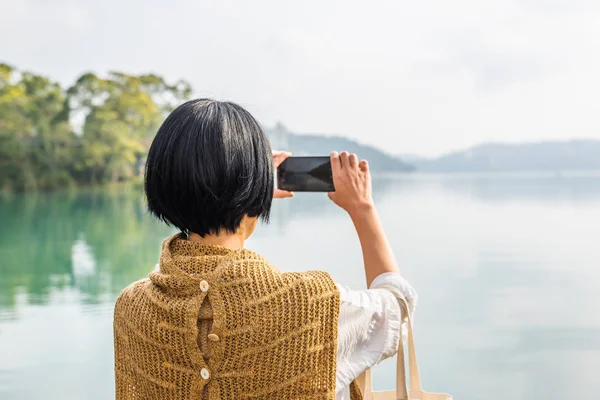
[[573, 155]]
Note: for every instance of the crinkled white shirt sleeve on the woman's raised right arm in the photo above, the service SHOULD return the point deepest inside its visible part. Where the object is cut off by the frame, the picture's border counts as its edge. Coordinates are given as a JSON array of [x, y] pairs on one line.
[[370, 326]]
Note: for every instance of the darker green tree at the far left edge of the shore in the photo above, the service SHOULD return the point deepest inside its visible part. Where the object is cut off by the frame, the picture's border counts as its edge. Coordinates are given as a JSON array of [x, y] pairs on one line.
[[35, 141]]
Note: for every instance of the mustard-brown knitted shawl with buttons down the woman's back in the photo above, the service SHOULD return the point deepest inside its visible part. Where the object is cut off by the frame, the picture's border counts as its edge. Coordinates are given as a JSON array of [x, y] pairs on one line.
[[214, 323]]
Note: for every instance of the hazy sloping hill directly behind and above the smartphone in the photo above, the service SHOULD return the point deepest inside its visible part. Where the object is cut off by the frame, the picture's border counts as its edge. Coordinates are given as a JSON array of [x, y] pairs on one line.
[[322, 145]]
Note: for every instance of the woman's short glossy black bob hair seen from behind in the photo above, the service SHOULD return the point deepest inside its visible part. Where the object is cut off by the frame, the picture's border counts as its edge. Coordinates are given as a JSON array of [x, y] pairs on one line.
[[209, 165]]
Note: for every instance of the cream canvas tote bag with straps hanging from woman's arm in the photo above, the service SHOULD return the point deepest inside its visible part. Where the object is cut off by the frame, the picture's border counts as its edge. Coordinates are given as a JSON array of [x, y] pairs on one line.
[[402, 392]]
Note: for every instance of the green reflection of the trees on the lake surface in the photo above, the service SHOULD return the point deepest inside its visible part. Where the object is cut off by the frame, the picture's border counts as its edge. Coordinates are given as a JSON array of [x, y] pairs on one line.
[[94, 241]]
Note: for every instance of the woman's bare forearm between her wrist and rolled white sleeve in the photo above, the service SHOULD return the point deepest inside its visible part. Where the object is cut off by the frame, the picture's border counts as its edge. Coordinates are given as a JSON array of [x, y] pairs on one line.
[[377, 253]]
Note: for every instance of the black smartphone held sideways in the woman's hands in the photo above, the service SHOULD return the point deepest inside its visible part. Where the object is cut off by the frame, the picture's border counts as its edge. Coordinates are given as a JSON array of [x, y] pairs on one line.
[[305, 174]]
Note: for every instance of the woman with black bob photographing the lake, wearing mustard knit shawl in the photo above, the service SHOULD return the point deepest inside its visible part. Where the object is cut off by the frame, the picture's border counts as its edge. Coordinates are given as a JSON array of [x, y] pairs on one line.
[[217, 321]]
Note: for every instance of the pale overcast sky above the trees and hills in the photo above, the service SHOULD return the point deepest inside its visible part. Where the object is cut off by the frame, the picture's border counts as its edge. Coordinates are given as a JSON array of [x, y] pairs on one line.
[[418, 77]]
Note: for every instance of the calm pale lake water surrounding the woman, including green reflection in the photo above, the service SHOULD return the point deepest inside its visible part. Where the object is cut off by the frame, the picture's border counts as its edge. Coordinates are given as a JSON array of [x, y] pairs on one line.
[[507, 268]]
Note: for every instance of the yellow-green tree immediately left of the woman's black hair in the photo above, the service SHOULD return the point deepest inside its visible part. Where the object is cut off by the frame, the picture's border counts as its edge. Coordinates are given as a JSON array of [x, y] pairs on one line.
[[120, 114]]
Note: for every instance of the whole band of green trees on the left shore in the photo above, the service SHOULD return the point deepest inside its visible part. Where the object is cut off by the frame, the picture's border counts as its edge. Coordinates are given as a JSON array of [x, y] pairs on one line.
[[96, 131]]
